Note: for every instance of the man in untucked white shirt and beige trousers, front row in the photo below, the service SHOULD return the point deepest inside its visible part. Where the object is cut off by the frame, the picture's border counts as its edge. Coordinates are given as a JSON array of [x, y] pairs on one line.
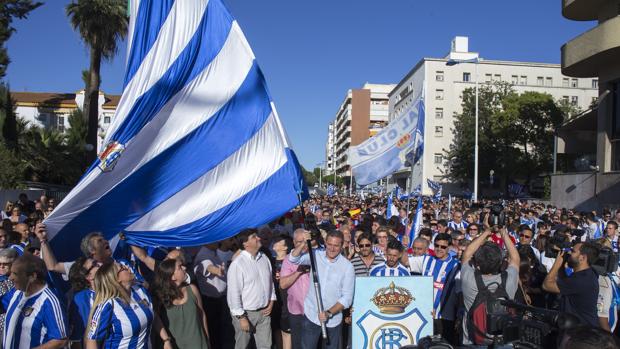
[[251, 292]]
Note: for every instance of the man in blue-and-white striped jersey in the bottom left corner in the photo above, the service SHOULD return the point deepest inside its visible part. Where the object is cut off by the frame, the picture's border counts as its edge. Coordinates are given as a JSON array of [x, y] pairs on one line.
[[34, 315]]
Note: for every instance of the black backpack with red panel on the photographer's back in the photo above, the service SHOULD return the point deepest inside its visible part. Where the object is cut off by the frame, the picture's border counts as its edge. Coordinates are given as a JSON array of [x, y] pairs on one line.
[[485, 315]]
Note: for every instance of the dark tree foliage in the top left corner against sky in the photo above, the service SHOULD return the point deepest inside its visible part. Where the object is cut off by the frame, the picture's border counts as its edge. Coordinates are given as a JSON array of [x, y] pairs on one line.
[[10, 10]]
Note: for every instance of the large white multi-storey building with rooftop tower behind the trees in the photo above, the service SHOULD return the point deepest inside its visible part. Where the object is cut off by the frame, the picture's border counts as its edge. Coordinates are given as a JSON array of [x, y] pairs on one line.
[[443, 86]]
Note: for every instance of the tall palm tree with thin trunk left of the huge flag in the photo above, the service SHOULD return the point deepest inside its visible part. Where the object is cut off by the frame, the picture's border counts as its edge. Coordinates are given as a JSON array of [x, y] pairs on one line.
[[101, 24]]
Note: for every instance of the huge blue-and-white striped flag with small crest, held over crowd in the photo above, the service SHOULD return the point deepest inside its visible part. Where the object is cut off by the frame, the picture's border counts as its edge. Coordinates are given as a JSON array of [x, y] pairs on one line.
[[196, 151]]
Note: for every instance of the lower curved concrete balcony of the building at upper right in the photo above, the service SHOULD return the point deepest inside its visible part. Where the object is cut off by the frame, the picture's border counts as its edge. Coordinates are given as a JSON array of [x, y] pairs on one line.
[[593, 50]]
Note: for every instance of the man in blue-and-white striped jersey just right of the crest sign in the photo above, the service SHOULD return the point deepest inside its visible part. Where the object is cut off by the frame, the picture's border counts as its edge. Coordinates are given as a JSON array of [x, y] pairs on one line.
[[445, 271]]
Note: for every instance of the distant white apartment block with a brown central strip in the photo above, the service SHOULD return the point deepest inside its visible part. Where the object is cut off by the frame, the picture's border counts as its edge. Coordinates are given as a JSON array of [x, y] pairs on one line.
[[362, 114]]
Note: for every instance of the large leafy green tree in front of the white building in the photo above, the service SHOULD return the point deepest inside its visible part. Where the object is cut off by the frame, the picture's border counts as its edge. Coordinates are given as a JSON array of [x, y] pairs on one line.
[[515, 134]]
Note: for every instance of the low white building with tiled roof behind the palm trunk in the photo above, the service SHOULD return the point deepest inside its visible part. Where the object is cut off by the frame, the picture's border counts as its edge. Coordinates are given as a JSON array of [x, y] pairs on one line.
[[52, 110]]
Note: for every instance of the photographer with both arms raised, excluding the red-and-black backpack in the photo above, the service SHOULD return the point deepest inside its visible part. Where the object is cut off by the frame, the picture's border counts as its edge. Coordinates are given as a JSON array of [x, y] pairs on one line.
[[487, 260]]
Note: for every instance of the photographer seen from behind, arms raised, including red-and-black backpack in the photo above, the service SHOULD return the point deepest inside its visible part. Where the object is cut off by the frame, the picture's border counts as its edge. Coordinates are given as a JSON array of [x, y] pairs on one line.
[[483, 283]]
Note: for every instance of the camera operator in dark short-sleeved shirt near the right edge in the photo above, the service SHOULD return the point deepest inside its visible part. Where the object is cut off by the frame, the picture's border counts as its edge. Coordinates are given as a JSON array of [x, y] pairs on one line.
[[579, 292]]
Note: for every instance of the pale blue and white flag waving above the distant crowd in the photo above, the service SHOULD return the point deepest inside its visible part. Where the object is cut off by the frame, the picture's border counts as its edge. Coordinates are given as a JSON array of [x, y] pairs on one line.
[[389, 150]]
